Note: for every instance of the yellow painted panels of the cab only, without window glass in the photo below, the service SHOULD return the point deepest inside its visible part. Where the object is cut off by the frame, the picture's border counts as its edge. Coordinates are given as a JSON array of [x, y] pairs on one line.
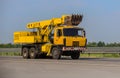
[[69, 40]]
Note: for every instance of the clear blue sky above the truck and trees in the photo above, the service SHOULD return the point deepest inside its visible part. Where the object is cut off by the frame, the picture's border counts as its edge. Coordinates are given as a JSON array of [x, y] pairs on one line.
[[101, 18]]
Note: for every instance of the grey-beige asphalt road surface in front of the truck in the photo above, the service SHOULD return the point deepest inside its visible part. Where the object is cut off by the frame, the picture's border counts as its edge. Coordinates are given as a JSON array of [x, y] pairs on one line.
[[17, 67]]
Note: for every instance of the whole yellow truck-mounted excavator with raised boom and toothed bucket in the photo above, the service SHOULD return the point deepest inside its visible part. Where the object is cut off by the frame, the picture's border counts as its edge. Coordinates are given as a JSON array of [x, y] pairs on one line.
[[54, 37]]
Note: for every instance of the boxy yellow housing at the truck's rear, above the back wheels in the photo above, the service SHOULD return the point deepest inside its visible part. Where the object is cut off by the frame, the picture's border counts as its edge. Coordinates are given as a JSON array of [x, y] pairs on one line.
[[26, 37]]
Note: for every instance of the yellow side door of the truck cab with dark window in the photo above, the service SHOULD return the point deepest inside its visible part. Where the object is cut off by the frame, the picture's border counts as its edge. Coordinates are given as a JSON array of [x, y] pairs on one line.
[[58, 37]]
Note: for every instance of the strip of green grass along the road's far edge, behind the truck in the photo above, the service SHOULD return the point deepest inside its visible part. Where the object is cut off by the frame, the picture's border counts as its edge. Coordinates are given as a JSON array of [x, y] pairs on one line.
[[86, 55]]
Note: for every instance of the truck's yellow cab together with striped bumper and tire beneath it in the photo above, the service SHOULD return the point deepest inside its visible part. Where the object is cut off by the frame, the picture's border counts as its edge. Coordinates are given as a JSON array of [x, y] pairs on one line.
[[70, 39]]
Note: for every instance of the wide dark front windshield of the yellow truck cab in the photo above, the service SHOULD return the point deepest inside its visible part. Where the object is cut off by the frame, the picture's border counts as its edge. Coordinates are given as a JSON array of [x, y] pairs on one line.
[[73, 32]]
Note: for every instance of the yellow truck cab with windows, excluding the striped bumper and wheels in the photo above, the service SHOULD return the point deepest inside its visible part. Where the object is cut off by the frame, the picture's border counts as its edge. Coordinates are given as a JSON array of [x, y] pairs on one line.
[[67, 35]]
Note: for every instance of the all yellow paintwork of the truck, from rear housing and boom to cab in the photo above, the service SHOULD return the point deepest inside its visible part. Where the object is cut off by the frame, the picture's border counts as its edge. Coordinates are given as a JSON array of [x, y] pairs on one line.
[[44, 28]]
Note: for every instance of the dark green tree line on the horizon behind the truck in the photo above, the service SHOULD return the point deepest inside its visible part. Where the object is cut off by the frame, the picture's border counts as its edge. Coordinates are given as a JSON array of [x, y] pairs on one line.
[[89, 44]]
